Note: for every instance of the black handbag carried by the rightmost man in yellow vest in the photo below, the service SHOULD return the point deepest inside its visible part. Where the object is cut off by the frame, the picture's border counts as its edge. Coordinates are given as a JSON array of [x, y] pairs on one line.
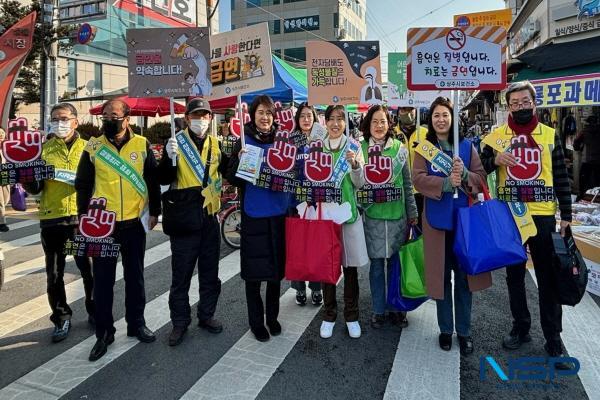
[[570, 271]]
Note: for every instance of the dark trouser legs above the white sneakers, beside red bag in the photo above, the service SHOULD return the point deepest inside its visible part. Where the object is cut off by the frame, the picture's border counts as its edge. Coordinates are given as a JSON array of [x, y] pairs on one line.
[[350, 297]]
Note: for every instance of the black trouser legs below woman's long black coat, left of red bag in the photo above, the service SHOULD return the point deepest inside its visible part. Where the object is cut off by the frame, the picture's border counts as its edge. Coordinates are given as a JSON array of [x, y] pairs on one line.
[[256, 309]]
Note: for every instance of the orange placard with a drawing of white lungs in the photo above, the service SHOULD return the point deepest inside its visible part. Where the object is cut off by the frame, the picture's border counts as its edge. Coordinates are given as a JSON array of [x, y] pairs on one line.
[[344, 72]]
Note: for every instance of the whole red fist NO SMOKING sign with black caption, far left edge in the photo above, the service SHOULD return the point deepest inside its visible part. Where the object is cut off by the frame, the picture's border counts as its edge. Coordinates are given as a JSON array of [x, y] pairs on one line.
[[22, 149]]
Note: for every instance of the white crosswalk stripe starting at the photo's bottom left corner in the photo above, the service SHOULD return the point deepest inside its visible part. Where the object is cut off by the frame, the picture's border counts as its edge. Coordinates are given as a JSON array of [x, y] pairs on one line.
[[67, 370]]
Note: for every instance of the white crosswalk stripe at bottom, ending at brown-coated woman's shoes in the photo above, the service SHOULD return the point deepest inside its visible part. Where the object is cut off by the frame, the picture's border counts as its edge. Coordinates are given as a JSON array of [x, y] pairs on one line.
[[419, 361]]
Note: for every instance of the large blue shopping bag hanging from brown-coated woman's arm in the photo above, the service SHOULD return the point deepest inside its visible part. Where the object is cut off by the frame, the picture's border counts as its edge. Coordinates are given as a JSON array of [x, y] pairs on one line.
[[487, 238]]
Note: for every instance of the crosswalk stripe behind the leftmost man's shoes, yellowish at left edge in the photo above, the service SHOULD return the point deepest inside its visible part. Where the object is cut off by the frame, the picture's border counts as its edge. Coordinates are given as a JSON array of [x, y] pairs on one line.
[[25, 313]]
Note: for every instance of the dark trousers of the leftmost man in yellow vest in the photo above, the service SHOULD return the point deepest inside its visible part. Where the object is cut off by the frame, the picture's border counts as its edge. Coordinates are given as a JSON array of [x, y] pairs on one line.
[[53, 243]]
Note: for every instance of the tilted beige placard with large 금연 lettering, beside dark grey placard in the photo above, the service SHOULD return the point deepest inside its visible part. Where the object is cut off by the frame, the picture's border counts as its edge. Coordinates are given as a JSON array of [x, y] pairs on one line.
[[240, 61]]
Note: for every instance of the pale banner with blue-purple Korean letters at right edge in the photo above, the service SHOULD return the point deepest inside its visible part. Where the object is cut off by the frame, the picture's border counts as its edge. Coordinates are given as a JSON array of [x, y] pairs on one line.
[[568, 91]]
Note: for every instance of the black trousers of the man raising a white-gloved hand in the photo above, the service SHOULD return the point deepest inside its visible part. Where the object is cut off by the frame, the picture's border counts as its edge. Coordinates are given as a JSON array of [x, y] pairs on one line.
[[201, 248]]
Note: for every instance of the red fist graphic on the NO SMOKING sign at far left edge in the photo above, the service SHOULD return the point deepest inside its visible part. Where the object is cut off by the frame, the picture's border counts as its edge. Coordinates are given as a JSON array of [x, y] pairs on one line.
[[21, 144]]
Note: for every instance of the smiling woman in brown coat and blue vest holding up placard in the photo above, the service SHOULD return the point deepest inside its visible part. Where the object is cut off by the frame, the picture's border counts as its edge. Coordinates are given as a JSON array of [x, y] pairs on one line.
[[437, 175]]
